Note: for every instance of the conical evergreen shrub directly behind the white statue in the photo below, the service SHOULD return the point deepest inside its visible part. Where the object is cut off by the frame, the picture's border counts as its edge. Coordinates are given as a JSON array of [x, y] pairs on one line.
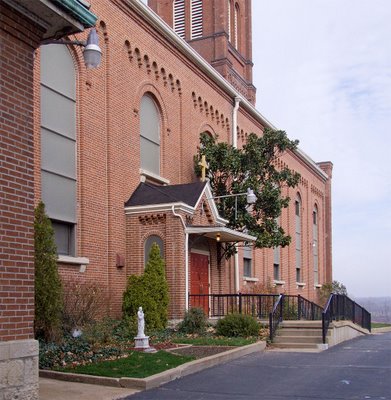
[[149, 291]]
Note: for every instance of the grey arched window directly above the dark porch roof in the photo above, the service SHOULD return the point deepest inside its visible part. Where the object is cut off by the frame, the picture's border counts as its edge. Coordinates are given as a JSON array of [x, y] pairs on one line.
[[149, 135]]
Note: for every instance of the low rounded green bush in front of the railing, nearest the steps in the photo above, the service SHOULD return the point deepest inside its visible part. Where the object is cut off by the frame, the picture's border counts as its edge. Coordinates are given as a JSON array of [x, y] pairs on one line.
[[235, 325]]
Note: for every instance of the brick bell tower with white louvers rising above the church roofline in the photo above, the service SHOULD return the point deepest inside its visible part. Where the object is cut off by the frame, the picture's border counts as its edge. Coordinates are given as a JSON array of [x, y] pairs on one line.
[[220, 31]]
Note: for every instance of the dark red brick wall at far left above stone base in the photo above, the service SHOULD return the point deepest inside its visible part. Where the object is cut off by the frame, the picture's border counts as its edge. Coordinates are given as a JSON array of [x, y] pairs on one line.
[[18, 40]]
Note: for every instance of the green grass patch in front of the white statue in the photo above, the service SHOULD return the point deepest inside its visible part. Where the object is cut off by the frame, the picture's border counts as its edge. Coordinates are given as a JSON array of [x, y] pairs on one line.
[[137, 365]]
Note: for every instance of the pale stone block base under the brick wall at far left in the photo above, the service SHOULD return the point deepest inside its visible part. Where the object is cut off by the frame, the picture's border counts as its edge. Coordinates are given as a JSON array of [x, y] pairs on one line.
[[19, 370]]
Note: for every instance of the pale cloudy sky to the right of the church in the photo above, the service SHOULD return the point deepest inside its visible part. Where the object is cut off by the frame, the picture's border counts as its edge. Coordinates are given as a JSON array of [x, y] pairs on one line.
[[322, 69]]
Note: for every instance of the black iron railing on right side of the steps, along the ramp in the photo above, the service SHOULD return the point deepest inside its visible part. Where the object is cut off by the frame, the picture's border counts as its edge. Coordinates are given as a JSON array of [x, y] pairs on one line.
[[340, 307]]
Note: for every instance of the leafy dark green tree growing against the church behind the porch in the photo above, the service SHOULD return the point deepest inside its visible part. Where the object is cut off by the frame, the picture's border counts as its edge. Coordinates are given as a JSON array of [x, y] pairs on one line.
[[232, 171]]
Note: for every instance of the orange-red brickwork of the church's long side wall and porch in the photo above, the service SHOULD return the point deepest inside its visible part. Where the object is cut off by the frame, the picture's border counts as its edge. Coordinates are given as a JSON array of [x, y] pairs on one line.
[[136, 60]]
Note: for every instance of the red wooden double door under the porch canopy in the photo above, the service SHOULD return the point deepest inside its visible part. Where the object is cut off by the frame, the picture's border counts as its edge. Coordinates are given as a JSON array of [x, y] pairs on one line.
[[199, 281]]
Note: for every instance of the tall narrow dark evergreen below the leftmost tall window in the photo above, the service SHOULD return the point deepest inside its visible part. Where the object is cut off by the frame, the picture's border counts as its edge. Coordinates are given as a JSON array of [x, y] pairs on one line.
[[48, 287]]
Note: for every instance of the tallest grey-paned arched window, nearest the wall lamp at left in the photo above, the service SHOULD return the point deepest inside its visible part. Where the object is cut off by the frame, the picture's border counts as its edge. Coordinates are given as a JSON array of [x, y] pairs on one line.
[[58, 143]]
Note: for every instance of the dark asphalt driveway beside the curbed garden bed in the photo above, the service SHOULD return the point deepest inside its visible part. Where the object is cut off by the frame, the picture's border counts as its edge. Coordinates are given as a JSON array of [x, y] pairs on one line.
[[354, 370]]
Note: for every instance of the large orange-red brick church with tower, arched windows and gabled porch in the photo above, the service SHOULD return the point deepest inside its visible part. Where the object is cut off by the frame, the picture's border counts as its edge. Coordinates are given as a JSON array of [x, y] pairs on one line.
[[114, 153]]
